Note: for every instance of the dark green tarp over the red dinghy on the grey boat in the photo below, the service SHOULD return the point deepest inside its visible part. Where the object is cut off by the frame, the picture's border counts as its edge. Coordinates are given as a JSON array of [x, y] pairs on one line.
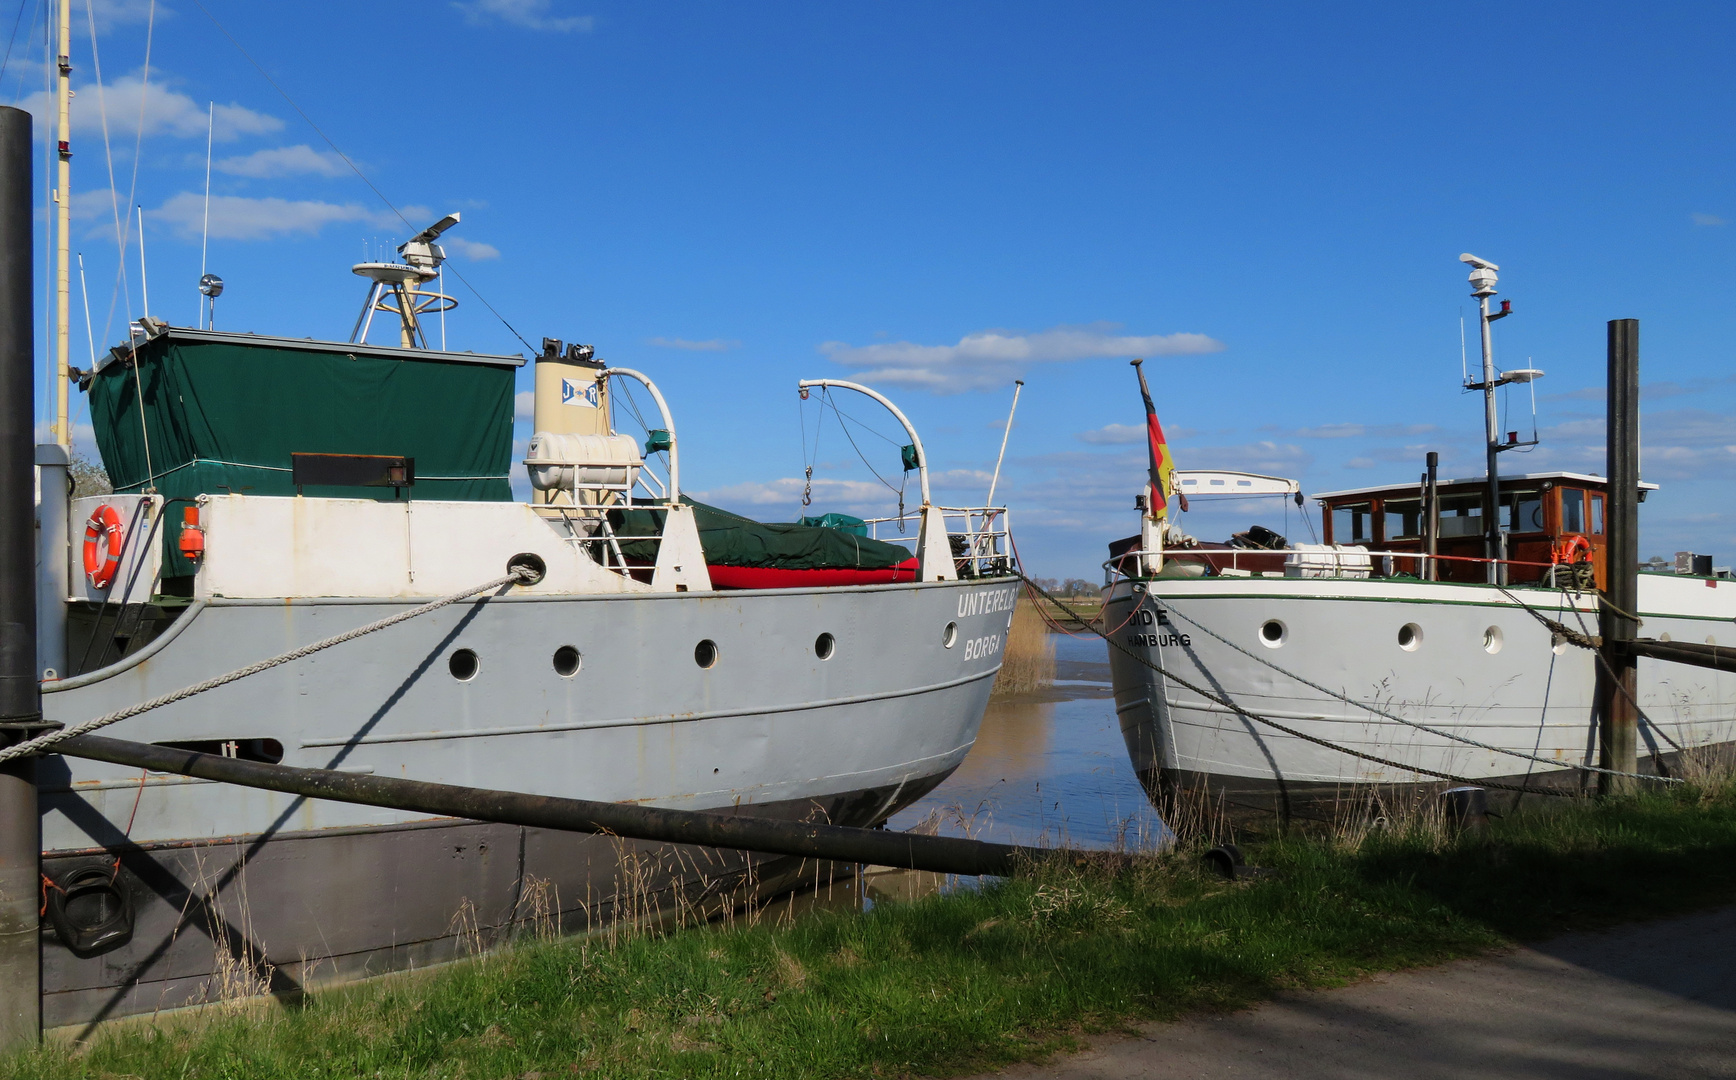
[[733, 541]]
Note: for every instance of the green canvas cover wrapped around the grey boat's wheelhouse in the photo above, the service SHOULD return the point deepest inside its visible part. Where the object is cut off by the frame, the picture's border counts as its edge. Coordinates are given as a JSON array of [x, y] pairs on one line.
[[225, 416]]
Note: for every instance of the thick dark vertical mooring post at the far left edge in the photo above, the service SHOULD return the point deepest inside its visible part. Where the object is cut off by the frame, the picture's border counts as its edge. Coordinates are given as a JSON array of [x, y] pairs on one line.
[[20, 699]]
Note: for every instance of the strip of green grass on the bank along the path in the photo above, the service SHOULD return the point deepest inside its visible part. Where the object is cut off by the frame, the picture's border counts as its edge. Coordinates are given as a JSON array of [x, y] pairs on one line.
[[971, 980]]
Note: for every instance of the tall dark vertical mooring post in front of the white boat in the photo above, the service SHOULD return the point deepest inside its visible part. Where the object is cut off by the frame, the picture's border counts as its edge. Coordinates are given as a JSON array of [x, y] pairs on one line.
[[1619, 730]]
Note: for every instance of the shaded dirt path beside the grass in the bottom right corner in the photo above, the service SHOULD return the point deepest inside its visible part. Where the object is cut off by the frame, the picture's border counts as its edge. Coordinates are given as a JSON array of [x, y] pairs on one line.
[[1654, 1001]]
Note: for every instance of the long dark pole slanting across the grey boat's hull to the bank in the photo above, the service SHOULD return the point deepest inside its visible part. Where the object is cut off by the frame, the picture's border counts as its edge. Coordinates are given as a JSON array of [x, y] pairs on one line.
[[944, 855]]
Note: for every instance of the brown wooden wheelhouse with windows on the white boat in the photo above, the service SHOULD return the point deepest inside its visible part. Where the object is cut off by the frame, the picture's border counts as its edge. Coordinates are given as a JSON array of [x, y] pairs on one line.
[[1539, 513]]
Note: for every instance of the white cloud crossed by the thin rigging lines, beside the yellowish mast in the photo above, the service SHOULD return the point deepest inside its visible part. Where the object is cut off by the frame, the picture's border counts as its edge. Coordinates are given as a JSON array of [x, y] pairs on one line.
[[166, 112]]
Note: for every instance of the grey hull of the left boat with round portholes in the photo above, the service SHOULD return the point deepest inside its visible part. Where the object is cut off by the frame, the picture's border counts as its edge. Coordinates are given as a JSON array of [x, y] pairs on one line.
[[227, 876]]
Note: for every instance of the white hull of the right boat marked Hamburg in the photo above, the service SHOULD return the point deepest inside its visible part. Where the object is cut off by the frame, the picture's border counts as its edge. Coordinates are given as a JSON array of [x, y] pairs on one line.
[[1475, 662]]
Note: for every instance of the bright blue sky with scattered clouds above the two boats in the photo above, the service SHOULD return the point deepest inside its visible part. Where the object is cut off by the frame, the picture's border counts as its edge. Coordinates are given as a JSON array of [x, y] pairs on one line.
[[1265, 201]]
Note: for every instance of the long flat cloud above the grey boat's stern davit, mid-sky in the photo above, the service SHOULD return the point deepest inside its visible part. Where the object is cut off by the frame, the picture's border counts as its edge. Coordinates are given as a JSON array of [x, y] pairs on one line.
[[992, 359]]
